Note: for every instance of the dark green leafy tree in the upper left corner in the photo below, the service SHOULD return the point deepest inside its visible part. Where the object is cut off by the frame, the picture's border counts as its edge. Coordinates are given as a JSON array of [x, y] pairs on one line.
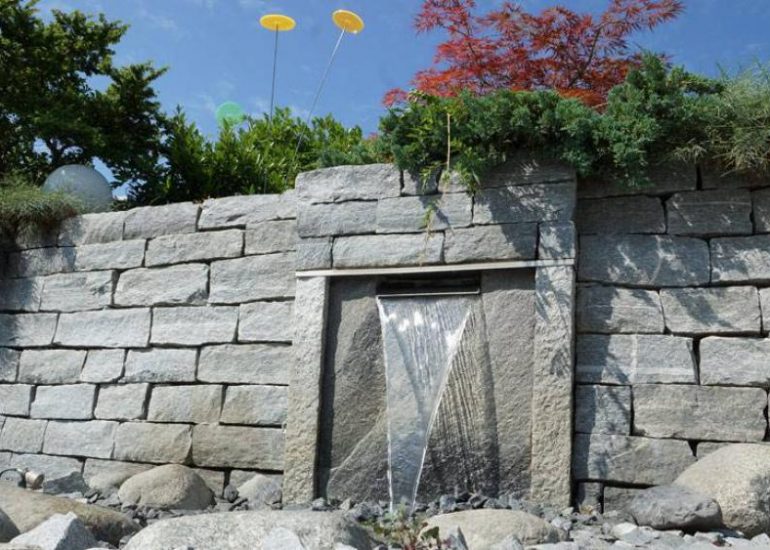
[[52, 112]]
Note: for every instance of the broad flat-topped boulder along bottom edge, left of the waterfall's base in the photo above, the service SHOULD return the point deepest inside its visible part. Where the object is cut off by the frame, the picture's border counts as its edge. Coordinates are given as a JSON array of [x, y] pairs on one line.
[[236, 530]]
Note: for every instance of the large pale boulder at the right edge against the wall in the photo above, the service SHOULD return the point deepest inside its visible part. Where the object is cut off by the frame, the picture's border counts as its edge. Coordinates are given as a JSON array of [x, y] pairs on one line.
[[738, 478]]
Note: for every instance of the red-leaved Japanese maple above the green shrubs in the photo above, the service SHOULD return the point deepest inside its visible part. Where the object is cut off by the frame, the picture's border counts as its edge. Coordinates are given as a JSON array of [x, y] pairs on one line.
[[577, 54]]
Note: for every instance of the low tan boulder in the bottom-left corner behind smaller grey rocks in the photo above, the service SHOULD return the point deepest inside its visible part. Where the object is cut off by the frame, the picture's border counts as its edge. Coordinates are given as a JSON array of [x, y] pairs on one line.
[[28, 509]]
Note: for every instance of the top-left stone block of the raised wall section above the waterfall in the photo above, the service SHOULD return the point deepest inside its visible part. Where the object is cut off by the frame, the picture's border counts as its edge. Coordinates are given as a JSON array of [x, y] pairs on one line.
[[349, 183]]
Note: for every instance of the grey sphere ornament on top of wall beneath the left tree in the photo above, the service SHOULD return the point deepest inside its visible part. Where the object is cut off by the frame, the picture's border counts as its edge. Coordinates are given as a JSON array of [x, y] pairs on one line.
[[84, 183]]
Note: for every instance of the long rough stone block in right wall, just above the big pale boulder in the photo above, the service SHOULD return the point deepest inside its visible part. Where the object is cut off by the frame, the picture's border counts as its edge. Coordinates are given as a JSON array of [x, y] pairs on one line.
[[697, 412]]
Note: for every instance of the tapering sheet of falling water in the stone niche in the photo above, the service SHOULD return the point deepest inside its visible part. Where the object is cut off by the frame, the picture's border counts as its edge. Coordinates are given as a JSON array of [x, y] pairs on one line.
[[421, 336]]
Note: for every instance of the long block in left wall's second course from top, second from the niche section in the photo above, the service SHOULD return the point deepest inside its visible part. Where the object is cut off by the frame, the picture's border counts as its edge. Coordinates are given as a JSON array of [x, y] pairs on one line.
[[191, 247]]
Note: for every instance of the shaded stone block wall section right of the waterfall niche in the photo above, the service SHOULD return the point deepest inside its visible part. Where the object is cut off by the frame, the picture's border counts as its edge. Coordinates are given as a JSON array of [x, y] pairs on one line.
[[671, 359]]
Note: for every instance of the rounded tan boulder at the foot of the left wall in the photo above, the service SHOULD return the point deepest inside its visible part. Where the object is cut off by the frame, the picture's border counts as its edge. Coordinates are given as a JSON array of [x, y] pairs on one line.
[[167, 487]]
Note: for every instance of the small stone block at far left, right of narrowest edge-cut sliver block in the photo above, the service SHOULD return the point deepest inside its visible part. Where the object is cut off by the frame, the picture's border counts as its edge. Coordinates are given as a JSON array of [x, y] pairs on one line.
[[56, 366]]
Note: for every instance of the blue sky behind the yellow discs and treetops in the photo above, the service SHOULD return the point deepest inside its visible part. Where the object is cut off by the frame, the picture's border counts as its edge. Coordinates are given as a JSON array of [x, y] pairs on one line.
[[216, 51]]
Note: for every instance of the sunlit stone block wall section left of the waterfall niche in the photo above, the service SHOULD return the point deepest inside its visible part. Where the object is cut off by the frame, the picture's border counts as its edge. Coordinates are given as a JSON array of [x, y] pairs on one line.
[[159, 335]]
